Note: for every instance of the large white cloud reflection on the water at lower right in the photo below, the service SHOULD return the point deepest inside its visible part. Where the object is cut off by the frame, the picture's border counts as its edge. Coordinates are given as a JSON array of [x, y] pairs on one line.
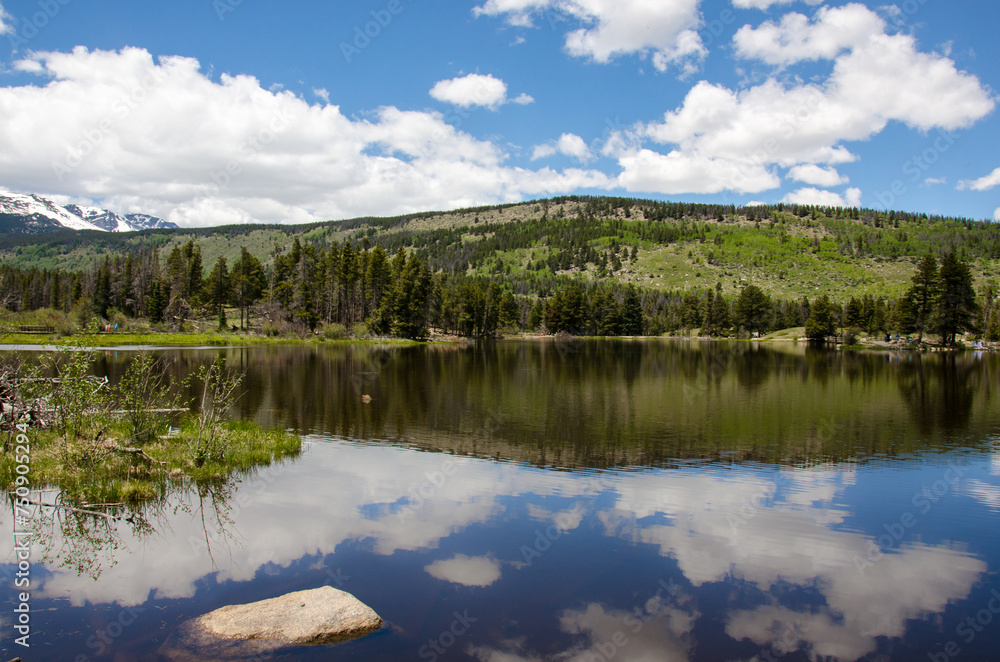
[[797, 540]]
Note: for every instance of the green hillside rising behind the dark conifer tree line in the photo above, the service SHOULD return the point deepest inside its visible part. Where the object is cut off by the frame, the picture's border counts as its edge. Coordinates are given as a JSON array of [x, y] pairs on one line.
[[789, 251]]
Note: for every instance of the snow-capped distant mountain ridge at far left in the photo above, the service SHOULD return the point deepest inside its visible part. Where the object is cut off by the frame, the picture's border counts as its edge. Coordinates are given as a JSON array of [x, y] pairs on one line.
[[33, 214]]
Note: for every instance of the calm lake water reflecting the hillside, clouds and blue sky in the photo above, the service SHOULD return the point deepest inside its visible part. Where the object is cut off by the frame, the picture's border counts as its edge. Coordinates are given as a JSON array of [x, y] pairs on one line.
[[582, 501]]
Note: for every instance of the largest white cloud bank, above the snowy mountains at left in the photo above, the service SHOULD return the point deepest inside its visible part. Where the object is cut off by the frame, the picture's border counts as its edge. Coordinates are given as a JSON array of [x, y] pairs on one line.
[[161, 136]]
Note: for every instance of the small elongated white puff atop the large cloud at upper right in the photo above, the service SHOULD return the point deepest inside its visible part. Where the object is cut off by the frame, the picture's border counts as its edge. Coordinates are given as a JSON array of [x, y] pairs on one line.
[[794, 39]]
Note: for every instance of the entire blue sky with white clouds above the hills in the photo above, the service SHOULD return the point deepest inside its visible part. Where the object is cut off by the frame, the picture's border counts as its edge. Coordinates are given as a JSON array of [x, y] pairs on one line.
[[218, 111]]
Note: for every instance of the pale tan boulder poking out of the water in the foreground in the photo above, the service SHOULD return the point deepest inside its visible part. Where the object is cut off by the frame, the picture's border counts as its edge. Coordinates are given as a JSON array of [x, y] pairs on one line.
[[306, 618]]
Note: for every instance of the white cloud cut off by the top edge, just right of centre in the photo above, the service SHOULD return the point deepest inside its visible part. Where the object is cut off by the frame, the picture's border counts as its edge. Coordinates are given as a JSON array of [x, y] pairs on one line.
[[664, 31]]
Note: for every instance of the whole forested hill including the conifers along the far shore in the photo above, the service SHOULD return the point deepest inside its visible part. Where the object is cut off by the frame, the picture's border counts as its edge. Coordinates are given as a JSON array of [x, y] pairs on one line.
[[592, 266]]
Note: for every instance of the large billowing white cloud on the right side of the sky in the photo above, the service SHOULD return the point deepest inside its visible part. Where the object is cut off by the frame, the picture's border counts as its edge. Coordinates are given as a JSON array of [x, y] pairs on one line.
[[737, 137]]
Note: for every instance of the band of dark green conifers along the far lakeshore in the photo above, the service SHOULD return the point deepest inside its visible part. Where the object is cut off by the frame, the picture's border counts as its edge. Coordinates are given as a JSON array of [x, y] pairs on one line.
[[362, 286]]
